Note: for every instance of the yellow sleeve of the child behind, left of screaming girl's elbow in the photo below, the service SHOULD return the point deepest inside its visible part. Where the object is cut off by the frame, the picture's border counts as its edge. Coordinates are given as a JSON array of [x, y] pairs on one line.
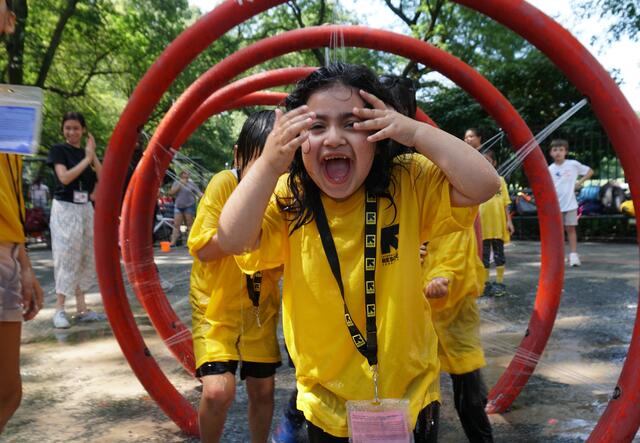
[[205, 224]]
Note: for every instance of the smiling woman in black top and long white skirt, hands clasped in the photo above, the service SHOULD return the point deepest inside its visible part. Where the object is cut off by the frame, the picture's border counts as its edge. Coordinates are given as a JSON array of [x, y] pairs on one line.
[[76, 173]]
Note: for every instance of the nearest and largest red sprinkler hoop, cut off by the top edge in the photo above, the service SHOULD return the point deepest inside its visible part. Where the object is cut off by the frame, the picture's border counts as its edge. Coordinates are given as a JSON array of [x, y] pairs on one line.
[[622, 416]]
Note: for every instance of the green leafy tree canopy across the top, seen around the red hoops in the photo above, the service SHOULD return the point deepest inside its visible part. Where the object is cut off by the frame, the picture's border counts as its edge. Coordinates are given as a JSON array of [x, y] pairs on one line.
[[88, 55]]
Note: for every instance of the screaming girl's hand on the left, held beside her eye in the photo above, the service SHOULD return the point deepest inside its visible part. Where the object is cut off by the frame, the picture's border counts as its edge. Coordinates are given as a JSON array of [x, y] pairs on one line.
[[289, 132]]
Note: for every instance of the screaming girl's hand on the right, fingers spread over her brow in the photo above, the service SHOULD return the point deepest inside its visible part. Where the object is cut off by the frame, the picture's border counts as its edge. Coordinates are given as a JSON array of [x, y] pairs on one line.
[[388, 122]]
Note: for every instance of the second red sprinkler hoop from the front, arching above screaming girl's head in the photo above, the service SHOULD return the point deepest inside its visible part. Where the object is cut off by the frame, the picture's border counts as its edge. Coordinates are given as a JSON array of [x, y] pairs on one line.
[[484, 92]]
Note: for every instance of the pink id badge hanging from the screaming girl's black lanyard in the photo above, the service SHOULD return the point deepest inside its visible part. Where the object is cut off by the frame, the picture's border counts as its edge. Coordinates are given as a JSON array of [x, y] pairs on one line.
[[386, 421]]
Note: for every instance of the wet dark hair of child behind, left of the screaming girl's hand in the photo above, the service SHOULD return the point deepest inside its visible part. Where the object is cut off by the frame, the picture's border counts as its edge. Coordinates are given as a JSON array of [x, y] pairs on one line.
[[252, 138]]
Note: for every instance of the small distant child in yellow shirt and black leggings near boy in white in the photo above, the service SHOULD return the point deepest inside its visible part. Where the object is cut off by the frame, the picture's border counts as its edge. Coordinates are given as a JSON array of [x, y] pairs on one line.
[[496, 230]]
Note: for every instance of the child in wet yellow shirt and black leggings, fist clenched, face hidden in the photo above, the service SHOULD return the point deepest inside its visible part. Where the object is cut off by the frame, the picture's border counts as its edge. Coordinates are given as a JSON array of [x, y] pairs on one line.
[[454, 277]]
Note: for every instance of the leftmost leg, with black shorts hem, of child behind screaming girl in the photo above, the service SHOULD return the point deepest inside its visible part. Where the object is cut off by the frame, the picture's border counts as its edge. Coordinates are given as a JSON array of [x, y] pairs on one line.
[[218, 391]]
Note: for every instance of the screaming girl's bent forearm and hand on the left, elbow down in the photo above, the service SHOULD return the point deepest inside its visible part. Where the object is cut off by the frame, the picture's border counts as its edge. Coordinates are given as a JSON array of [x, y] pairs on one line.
[[240, 223]]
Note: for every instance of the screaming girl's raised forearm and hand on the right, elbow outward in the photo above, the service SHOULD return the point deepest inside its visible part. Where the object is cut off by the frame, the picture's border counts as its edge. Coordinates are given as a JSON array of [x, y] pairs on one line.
[[453, 156]]
